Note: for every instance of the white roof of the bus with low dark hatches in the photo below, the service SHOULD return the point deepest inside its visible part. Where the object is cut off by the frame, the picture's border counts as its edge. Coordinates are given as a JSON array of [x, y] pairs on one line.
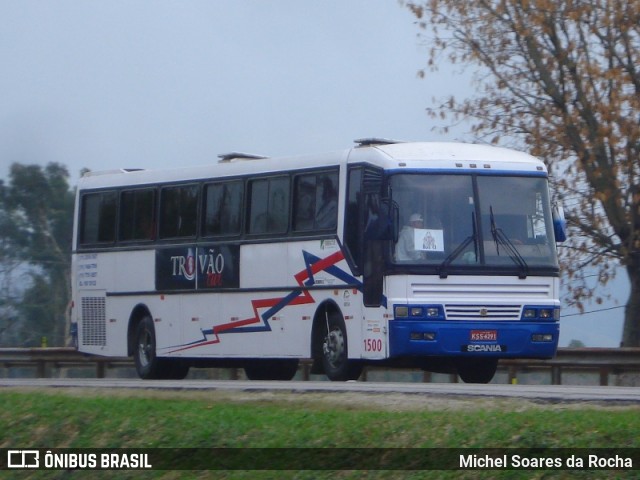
[[385, 154]]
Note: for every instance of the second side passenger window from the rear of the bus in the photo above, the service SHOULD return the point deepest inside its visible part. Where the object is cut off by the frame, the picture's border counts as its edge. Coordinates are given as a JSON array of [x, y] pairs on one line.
[[136, 215]]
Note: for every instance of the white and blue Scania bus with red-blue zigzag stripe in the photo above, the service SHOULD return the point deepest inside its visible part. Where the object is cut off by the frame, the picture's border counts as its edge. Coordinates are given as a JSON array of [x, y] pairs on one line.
[[440, 256]]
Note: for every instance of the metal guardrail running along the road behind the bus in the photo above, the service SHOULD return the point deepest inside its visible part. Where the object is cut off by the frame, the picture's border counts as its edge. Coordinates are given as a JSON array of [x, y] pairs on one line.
[[604, 362]]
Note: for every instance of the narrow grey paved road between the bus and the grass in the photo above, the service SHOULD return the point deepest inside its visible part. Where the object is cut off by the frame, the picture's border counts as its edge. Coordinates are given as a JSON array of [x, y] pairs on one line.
[[549, 393]]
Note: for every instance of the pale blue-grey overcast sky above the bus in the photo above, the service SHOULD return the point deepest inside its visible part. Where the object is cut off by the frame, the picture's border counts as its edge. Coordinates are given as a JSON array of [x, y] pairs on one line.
[[159, 83]]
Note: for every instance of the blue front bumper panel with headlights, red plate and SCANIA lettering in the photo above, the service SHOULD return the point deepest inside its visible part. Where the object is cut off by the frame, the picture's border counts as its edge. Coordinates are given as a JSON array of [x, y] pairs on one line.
[[464, 338]]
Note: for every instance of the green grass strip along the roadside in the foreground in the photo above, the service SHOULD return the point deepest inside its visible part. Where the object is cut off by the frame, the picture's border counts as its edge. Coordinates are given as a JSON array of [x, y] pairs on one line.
[[90, 419]]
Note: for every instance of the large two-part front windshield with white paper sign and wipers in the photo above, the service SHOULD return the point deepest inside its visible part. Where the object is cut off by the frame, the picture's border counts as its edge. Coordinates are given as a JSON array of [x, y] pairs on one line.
[[475, 221]]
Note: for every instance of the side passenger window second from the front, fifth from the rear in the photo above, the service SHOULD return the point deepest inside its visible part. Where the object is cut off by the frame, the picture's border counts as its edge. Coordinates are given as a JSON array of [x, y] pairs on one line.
[[269, 207]]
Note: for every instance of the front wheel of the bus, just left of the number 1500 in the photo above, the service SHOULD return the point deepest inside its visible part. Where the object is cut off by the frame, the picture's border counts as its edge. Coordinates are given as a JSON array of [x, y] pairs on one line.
[[335, 356]]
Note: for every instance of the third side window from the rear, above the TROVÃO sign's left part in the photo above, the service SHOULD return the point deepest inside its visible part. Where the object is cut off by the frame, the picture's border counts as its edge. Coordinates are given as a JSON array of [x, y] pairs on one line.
[[178, 211]]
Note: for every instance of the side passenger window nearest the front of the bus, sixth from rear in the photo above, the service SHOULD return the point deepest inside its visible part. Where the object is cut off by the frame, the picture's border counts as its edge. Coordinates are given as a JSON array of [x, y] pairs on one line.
[[315, 202]]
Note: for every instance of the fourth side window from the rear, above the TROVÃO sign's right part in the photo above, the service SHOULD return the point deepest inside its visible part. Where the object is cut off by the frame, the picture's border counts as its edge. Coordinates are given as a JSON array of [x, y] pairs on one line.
[[223, 208]]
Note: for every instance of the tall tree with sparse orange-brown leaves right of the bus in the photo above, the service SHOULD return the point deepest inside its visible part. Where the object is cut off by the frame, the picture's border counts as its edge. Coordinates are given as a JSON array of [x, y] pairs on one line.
[[560, 78]]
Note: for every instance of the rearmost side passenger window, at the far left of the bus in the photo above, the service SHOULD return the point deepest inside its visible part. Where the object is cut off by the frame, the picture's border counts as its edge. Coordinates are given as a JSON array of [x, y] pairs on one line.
[[98, 222]]
